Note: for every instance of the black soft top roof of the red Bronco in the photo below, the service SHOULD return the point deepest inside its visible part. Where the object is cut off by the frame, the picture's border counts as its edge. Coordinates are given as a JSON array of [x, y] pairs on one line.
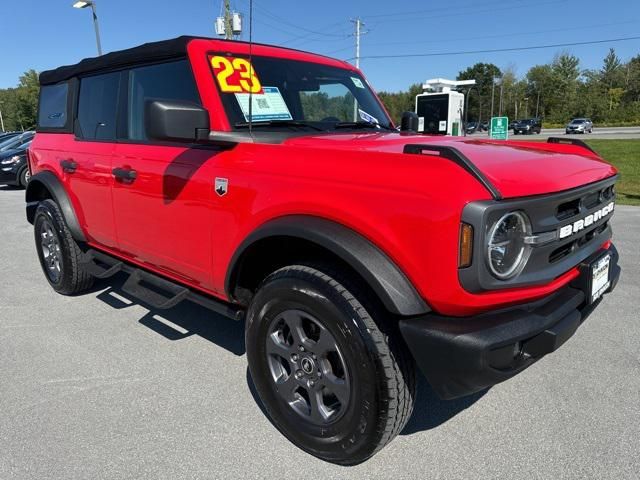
[[176, 47]]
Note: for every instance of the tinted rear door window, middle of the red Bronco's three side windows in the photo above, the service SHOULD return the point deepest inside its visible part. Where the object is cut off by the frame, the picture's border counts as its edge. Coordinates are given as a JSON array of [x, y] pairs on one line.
[[97, 106]]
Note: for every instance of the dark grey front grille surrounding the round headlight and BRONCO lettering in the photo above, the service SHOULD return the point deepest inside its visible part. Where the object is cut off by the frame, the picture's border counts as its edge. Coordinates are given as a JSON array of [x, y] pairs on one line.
[[548, 213]]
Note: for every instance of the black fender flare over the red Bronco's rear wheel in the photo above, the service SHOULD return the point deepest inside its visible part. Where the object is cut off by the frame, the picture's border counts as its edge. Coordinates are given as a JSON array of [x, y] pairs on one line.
[[51, 183]]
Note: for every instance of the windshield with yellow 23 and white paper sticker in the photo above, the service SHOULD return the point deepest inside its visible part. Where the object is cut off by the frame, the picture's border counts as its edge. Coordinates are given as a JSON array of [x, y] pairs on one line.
[[295, 94]]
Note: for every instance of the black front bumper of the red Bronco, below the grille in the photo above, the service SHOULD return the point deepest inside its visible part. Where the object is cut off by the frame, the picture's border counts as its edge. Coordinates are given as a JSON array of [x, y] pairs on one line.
[[460, 356]]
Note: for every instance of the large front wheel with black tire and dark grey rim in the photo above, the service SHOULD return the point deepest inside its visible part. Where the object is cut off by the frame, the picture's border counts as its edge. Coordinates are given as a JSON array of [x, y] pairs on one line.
[[333, 376]]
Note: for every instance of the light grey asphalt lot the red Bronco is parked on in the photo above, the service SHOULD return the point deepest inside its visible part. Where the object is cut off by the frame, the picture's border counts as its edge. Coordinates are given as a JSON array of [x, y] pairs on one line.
[[99, 387]]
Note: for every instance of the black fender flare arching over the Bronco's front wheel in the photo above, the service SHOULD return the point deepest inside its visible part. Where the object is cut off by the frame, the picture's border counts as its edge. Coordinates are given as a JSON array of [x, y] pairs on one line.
[[384, 277]]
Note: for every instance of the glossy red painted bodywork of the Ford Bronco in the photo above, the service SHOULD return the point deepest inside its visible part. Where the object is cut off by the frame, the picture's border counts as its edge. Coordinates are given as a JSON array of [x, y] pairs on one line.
[[171, 221]]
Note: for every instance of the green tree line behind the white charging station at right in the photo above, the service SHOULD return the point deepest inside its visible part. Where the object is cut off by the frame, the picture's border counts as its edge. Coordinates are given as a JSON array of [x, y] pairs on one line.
[[554, 92]]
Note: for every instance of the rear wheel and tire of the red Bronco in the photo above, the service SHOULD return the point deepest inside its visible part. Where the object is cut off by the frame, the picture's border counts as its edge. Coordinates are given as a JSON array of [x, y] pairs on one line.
[[60, 255]]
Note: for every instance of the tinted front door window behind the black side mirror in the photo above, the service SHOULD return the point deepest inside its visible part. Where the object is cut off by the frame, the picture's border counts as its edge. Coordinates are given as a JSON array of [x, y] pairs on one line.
[[166, 81]]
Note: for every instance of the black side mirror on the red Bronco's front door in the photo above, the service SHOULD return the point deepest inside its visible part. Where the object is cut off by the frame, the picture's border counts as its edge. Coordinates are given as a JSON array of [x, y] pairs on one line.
[[174, 120]]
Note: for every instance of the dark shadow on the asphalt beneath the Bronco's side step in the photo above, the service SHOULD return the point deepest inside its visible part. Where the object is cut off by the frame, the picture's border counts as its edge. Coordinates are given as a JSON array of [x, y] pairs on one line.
[[181, 321]]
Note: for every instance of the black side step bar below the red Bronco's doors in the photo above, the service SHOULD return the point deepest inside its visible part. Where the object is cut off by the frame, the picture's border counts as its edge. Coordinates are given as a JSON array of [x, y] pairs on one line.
[[153, 290]]
